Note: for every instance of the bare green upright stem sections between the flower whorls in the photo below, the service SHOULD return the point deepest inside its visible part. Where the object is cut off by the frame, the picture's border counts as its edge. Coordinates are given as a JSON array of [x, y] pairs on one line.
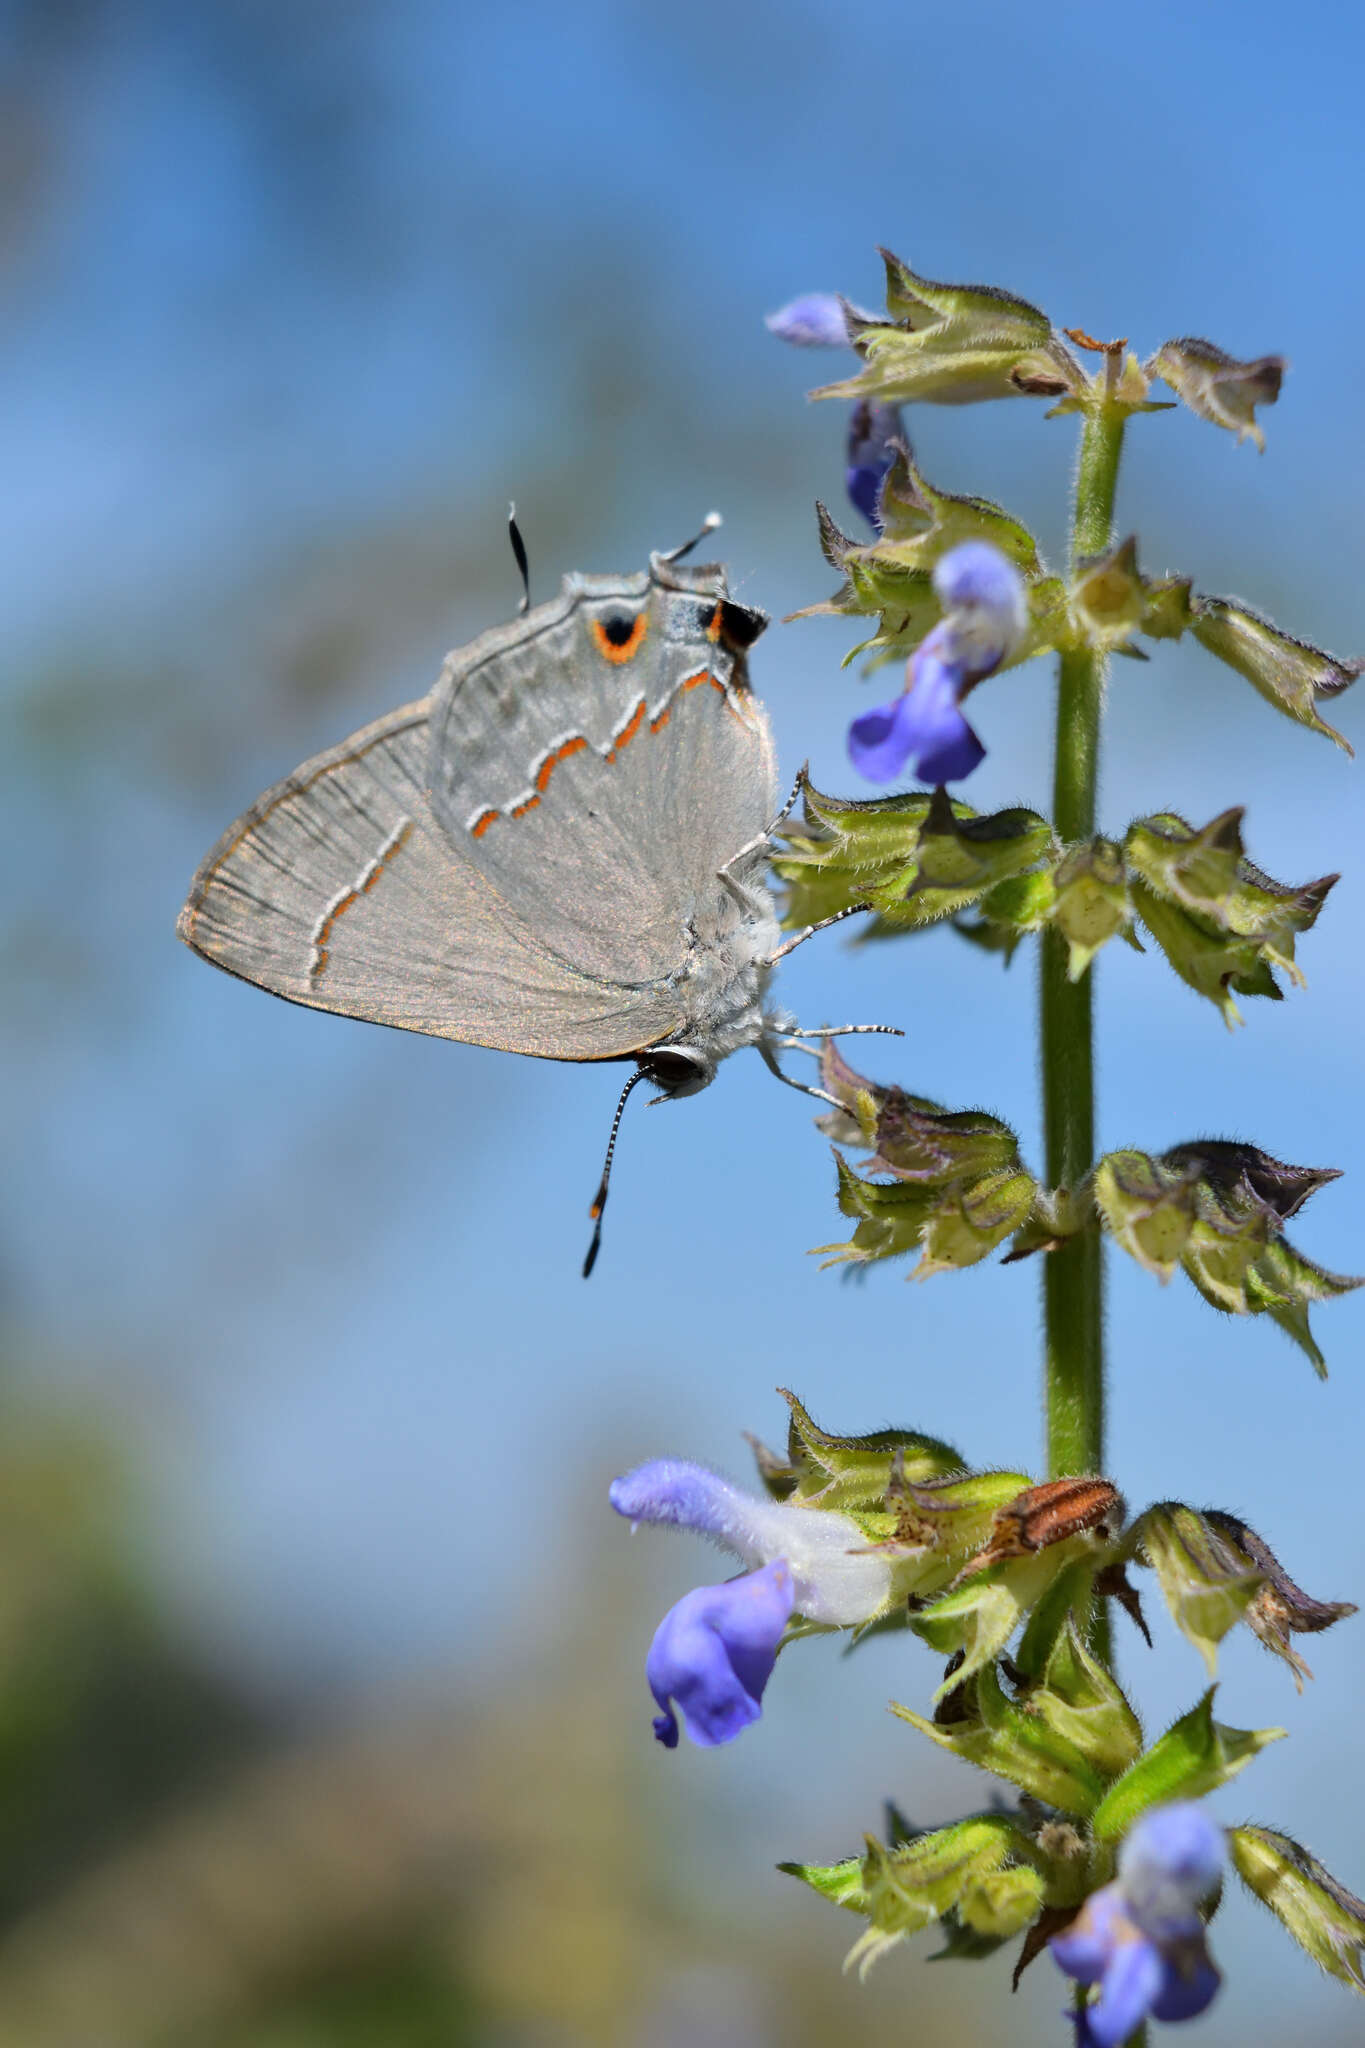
[[1073, 1277]]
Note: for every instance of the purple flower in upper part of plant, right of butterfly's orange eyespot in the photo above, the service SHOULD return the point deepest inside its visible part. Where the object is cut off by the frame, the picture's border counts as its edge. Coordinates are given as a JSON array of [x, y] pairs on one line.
[[985, 617]]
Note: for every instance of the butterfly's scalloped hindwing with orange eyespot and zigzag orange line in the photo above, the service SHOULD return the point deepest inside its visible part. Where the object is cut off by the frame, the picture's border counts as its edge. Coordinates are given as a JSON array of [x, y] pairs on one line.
[[603, 759]]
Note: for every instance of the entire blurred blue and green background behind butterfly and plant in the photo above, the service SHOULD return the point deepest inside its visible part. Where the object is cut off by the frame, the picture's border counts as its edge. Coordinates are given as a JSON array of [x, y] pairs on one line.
[[322, 1715]]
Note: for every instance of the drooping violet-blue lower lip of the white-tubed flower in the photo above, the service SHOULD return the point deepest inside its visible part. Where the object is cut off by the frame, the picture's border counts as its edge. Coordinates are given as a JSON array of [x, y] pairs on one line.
[[715, 1654]]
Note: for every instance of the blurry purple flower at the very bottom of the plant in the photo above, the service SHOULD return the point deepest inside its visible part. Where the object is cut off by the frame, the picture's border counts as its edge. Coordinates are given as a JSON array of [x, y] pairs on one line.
[[1143, 1936]]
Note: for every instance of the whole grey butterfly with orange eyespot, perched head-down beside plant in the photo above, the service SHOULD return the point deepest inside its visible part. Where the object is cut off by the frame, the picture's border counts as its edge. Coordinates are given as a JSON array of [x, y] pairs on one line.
[[560, 851]]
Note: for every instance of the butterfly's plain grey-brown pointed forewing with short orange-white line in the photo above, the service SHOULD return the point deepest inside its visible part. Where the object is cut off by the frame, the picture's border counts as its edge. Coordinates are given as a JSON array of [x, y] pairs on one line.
[[343, 892]]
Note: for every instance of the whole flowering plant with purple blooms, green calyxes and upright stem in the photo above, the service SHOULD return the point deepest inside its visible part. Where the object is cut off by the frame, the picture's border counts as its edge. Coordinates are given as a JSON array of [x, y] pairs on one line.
[[1102, 1854]]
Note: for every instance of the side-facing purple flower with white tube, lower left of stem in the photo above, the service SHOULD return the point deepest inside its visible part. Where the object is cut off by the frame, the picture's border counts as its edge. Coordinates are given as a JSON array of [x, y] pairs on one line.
[[715, 1652]]
